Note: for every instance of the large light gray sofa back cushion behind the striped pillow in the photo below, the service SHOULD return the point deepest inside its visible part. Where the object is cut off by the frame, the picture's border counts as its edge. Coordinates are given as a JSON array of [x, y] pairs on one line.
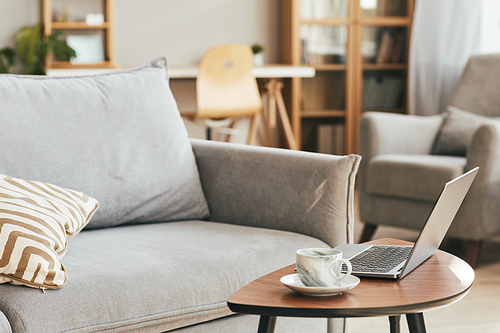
[[118, 137]]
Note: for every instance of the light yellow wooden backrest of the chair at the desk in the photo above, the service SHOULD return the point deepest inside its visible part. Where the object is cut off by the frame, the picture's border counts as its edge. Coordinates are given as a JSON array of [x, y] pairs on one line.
[[225, 85]]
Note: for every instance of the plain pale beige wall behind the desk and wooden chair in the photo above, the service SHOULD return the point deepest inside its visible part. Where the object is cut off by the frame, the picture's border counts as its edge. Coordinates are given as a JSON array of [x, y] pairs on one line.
[[178, 29]]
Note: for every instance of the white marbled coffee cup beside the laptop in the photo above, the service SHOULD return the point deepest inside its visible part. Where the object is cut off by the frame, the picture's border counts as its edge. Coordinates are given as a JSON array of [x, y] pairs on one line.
[[321, 267]]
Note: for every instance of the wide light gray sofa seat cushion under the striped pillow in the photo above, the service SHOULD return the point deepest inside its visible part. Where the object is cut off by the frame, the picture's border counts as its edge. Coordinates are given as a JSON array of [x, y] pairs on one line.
[[164, 275]]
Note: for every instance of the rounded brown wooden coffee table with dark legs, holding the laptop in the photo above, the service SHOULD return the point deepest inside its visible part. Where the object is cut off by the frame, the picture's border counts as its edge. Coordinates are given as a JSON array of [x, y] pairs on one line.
[[441, 280]]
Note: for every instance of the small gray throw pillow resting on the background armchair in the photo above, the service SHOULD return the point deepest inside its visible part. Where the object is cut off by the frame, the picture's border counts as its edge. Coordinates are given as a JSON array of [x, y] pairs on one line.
[[456, 132]]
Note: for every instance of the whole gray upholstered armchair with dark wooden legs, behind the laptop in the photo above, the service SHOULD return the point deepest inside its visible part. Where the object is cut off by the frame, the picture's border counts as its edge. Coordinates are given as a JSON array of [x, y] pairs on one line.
[[407, 159]]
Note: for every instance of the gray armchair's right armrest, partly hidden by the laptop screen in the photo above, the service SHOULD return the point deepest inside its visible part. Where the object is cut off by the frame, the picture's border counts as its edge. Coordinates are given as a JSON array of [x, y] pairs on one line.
[[481, 203]]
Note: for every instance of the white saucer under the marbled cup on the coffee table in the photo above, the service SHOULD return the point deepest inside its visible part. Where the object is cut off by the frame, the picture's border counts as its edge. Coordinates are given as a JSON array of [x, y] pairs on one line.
[[293, 282]]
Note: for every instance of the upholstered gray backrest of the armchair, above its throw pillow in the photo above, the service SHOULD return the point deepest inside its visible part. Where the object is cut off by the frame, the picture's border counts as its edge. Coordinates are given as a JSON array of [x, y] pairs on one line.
[[479, 87]]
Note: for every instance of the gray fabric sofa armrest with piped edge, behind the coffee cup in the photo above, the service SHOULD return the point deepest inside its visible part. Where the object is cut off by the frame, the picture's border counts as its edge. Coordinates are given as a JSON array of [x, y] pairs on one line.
[[307, 193]]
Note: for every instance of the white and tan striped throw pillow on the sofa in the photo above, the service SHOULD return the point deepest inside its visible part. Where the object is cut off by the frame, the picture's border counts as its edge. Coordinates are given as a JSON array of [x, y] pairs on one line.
[[36, 220]]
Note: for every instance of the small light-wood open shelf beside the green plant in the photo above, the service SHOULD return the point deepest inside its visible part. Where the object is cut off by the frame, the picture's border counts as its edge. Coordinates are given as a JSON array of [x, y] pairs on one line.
[[106, 29]]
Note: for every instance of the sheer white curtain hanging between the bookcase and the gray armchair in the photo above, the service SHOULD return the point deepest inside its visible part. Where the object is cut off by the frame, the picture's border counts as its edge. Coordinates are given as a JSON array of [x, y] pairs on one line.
[[445, 34]]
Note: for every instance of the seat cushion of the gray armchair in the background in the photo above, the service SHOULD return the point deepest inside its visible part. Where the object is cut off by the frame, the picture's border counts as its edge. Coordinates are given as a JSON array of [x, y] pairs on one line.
[[419, 177]]
